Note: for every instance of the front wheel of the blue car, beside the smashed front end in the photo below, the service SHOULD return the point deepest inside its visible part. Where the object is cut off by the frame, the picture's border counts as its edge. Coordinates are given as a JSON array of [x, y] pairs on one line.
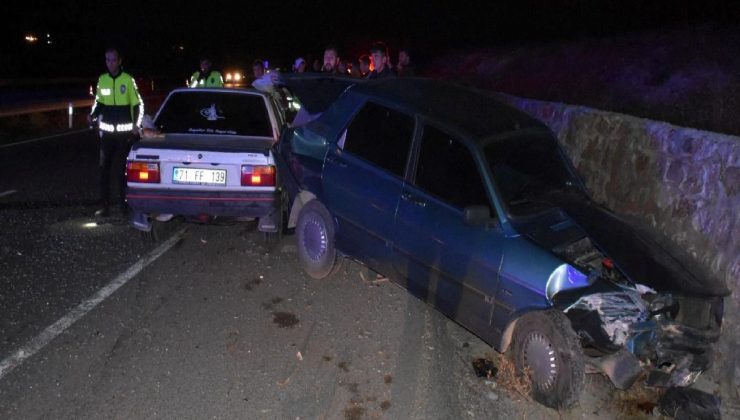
[[548, 350]]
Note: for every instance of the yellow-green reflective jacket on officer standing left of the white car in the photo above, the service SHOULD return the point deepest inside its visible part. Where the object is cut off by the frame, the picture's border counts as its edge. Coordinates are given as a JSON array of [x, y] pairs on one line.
[[118, 105]]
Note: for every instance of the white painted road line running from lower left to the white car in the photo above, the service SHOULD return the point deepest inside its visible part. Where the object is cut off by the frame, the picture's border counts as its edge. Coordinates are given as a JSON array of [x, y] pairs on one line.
[[40, 341]]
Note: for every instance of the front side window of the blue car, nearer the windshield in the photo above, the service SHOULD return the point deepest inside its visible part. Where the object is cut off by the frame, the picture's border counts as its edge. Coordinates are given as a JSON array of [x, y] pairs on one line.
[[447, 170]]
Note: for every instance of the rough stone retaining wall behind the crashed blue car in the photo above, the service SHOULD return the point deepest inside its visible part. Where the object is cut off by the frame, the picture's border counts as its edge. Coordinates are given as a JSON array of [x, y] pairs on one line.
[[681, 183]]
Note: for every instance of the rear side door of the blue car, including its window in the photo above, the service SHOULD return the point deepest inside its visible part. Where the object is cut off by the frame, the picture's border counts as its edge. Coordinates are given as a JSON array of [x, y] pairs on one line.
[[362, 180]]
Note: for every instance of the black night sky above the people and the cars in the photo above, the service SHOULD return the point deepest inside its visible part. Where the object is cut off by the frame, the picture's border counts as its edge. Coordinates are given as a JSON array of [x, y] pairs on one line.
[[234, 33]]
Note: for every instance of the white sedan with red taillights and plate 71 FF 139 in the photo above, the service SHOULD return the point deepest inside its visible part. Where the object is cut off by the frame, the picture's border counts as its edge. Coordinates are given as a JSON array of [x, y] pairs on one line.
[[207, 155]]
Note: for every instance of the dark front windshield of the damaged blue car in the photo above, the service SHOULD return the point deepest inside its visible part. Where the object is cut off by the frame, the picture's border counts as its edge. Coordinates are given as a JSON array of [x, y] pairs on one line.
[[526, 169]]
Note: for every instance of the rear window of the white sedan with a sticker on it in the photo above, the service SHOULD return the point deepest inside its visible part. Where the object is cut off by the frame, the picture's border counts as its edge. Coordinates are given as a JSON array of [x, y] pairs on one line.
[[219, 113]]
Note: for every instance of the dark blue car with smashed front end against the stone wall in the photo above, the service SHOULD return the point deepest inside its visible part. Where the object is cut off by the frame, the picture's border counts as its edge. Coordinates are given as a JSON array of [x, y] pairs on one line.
[[473, 207]]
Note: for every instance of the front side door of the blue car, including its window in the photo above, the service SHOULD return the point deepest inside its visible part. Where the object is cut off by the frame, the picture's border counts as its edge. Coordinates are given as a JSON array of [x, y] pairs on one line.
[[446, 262]]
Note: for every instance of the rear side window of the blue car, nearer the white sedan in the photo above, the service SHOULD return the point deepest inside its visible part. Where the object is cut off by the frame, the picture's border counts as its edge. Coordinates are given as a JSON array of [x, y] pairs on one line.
[[381, 136]]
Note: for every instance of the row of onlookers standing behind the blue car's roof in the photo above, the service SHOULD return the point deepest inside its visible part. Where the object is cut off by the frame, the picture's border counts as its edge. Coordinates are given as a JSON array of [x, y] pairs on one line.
[[375, 65]]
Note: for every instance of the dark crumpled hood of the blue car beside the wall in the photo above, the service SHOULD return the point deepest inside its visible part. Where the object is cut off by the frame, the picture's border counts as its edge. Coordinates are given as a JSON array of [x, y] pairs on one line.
[[638, 255]]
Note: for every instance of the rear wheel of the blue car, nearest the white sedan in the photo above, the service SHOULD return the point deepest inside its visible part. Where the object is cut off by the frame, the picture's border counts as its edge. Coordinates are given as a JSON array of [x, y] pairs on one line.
[[315, 240]]
